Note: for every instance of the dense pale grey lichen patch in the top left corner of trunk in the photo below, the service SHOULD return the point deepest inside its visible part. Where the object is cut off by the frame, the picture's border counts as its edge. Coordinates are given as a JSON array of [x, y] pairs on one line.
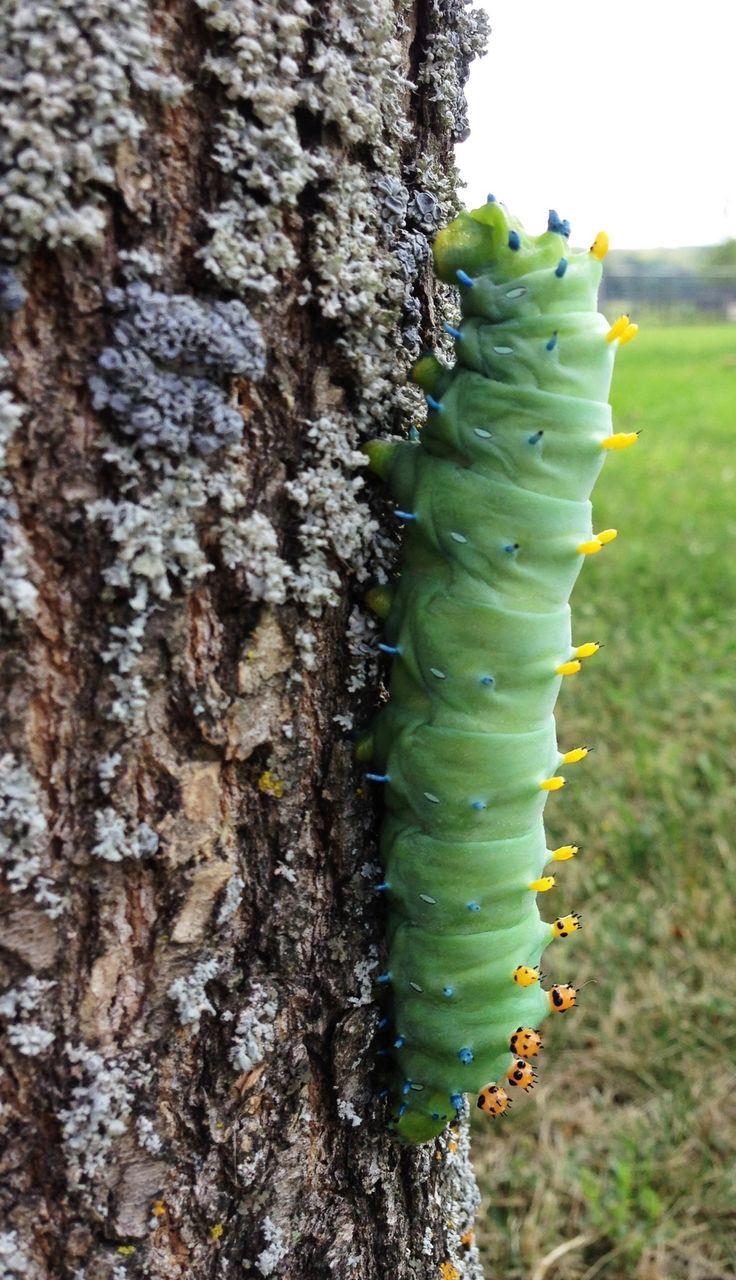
[[68, 70]]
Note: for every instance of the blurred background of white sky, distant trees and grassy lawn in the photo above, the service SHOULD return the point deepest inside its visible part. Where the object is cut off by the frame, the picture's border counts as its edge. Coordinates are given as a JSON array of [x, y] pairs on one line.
[[623, 1162]]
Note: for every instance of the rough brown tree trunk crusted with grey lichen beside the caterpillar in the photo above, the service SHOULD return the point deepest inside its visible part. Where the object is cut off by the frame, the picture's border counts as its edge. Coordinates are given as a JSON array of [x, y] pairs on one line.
[[217, 217]]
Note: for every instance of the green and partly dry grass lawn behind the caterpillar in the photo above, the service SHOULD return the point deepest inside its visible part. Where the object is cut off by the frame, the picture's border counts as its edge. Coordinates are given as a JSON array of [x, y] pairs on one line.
[[623, 1162]]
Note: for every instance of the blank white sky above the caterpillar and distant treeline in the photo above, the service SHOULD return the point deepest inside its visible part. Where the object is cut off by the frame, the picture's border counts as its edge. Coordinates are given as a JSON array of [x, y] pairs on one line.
[[620, 116]]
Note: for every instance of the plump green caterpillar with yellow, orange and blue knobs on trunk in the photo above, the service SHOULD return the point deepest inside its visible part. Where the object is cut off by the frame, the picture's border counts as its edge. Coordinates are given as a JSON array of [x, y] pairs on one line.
[[496, 501]]
